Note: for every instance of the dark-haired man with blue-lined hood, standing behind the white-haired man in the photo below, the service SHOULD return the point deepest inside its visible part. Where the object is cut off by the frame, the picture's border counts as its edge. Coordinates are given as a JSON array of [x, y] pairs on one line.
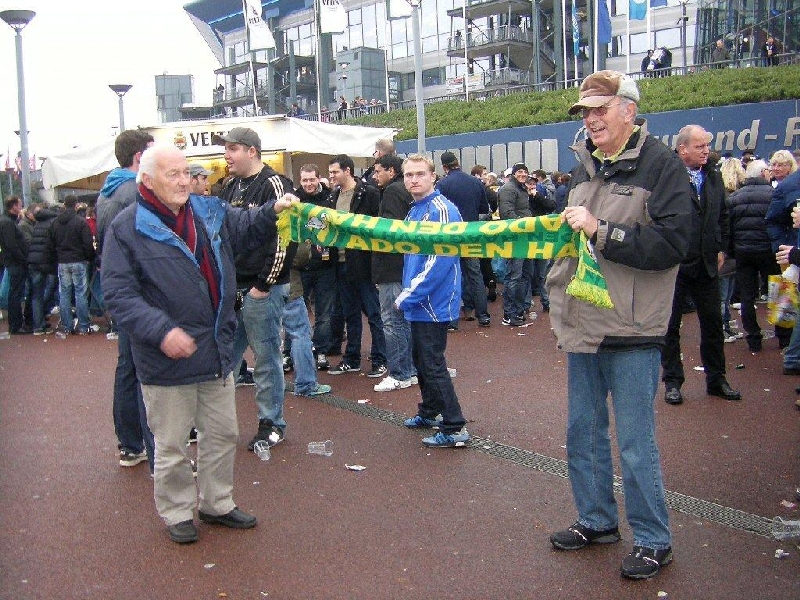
[[135, 441]]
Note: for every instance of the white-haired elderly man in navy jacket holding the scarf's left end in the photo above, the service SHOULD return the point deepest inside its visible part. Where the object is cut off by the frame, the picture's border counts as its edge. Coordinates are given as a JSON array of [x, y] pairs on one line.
[[169, 281]]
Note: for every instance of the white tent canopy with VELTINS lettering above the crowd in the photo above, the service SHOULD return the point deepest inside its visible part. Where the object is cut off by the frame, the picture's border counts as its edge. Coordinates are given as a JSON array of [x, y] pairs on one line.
[[87, 168]]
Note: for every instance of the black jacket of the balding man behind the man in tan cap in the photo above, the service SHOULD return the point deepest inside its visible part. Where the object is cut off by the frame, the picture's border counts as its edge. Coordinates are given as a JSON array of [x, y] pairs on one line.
[[710, 227]]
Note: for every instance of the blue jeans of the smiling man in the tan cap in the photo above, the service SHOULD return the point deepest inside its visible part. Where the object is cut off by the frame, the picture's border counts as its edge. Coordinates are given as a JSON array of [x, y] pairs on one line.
[[632, 379]]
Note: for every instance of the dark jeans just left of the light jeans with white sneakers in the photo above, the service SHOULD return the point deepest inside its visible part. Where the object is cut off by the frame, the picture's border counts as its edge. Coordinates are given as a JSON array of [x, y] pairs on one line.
[[355, 298]]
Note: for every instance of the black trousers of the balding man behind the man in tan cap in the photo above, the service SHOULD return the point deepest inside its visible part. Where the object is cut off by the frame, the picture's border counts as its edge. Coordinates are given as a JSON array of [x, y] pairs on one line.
[[704, 291]]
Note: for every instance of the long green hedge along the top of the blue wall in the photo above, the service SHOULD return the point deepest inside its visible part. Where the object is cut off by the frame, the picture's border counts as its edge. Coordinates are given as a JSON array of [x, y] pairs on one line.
[[717, 87]]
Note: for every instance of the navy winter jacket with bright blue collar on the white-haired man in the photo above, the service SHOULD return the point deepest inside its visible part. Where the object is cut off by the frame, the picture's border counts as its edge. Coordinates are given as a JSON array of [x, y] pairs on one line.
[[152, 284]]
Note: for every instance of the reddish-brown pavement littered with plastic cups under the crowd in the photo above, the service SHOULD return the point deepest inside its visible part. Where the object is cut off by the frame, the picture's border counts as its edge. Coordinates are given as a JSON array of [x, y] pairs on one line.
[[469, 523]]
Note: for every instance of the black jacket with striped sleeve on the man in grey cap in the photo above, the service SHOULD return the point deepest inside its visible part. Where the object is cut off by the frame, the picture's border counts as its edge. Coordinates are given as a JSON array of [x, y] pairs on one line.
[[270, 264]]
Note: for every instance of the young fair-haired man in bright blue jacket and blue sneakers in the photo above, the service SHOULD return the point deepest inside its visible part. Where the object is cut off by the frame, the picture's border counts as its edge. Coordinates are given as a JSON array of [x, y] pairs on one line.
[[430, 300]]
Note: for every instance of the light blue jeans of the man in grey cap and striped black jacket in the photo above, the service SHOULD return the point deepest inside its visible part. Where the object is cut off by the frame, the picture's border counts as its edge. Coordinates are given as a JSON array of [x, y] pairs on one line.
[[262, 322]]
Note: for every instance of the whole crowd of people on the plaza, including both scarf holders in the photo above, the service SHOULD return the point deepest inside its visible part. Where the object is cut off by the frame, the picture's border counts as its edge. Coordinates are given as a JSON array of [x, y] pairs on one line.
[[191, 280]]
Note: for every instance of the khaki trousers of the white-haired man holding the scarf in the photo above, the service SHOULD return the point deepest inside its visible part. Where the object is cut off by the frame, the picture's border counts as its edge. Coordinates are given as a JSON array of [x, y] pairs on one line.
[[171, 412]]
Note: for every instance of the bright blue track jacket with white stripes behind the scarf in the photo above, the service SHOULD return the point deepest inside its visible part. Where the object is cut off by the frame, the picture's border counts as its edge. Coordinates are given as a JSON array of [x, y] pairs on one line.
[[431, 284]]
